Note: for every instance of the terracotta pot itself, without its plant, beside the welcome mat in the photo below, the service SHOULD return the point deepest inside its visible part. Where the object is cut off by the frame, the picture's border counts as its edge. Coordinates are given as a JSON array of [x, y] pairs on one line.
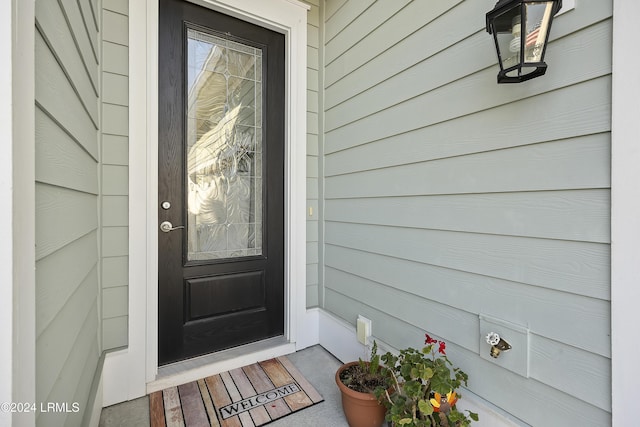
[[361, 409]]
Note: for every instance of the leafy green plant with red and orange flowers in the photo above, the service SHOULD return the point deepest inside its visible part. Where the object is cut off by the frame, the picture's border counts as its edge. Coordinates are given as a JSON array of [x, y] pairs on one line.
[[423, 388]]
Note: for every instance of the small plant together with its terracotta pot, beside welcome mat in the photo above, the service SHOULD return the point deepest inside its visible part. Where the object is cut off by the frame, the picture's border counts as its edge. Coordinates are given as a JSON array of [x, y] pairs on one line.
[[357, 382]]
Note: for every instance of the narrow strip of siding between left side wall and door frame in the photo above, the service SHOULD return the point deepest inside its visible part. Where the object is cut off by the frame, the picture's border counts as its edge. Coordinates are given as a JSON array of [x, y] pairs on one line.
[[114, 173]]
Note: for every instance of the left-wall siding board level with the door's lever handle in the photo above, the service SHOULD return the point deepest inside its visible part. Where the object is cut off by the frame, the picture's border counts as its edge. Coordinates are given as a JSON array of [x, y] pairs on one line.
[[62, 216]]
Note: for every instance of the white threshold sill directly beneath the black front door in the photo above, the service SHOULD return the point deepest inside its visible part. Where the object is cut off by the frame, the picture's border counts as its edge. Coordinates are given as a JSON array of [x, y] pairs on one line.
[[210, 364]]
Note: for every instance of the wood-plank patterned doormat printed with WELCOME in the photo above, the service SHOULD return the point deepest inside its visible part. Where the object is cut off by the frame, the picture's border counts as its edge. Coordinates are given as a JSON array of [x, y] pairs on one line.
[[251, 396]]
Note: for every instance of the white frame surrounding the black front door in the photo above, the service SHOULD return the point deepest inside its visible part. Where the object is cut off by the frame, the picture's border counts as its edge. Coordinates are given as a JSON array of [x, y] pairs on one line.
[[128, 372]]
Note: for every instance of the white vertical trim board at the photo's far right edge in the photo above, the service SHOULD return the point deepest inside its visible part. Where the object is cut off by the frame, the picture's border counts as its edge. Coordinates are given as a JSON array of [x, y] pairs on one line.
[[625, 211]]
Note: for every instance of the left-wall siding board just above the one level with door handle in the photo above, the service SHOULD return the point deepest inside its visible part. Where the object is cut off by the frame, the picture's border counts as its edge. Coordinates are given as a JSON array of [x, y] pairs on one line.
[[60, 160]]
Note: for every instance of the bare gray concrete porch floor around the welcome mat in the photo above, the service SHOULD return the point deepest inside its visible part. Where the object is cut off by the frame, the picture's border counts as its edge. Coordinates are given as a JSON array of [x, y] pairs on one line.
[[315, 363]]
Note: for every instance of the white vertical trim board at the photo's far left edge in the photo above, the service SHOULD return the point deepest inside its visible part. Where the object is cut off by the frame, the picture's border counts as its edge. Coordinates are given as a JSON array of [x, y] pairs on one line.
[[17, 190]]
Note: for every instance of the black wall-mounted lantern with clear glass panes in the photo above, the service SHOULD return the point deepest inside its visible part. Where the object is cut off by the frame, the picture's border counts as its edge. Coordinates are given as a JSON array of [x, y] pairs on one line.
[[520, 31]]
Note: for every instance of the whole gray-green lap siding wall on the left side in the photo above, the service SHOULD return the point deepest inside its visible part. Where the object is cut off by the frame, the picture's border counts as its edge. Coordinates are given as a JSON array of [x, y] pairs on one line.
[[67, 199]]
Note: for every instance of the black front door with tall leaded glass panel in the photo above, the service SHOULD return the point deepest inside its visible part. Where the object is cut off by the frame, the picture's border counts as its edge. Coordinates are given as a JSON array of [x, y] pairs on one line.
[[220, 183]]
